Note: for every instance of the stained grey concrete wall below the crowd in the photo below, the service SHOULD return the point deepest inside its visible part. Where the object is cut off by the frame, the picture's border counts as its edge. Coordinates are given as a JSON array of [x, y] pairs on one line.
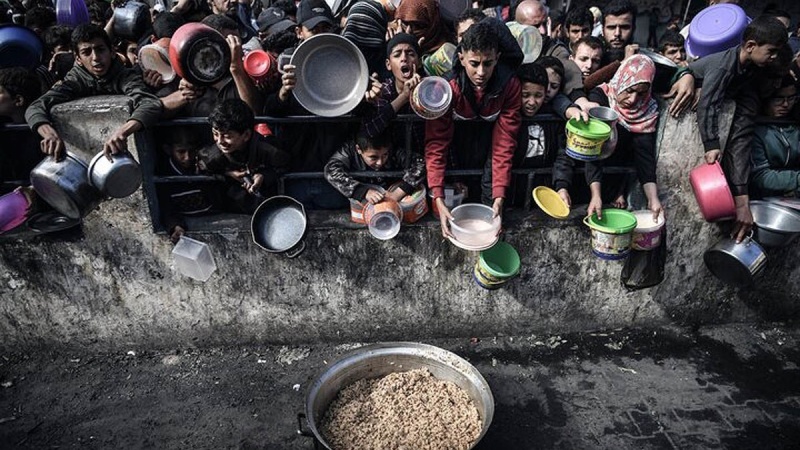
[[114, 285]]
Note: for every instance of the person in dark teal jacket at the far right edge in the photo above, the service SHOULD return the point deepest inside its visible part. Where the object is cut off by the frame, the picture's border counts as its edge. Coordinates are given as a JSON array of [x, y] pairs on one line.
[[776, 146]]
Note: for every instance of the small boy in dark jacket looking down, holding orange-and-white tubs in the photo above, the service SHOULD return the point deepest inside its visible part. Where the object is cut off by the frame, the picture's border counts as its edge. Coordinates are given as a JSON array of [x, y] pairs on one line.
[[373, 153]]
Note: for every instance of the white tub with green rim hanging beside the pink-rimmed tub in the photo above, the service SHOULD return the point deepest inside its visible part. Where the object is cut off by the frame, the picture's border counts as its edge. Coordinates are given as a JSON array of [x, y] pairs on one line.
[[611, 235]]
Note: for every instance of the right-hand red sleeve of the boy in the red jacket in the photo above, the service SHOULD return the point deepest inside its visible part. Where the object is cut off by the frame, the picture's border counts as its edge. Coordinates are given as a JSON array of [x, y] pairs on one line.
[[504, 138]]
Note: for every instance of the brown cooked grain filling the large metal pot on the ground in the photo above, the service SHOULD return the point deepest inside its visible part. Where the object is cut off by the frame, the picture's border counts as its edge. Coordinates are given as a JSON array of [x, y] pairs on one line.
[[404, 410]]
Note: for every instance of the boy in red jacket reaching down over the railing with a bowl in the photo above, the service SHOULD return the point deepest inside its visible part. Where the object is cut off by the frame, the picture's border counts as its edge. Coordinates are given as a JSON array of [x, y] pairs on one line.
[[483, 88]]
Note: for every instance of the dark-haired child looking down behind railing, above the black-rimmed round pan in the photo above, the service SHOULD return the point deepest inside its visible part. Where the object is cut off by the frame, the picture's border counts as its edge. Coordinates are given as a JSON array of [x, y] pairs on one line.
[[250, 164]]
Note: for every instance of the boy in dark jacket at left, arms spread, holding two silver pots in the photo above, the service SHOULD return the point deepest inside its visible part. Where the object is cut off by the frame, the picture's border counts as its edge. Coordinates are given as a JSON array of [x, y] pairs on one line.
[[96, 72]]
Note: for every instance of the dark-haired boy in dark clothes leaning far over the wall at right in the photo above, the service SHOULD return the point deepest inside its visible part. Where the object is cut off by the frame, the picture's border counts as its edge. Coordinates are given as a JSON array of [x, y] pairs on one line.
[[738, 74]]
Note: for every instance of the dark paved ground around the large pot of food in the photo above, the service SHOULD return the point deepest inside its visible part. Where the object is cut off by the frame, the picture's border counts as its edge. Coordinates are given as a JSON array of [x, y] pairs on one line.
[[732, 387]]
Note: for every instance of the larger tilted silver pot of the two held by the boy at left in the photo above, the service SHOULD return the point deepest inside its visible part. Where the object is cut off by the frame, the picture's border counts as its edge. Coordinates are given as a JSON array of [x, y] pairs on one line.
[[65, 186]]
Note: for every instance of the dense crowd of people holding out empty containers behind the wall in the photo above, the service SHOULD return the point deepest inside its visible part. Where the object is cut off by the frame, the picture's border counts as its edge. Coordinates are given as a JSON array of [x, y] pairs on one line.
[[588, 58]]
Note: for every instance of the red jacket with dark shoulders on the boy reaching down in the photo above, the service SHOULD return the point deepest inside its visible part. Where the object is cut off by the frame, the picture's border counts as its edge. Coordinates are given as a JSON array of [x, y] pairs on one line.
[[502, 106]]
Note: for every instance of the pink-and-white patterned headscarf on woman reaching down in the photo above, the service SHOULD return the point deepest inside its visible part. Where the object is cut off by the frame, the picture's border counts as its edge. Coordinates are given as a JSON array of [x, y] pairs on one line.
[[643, 117]]
